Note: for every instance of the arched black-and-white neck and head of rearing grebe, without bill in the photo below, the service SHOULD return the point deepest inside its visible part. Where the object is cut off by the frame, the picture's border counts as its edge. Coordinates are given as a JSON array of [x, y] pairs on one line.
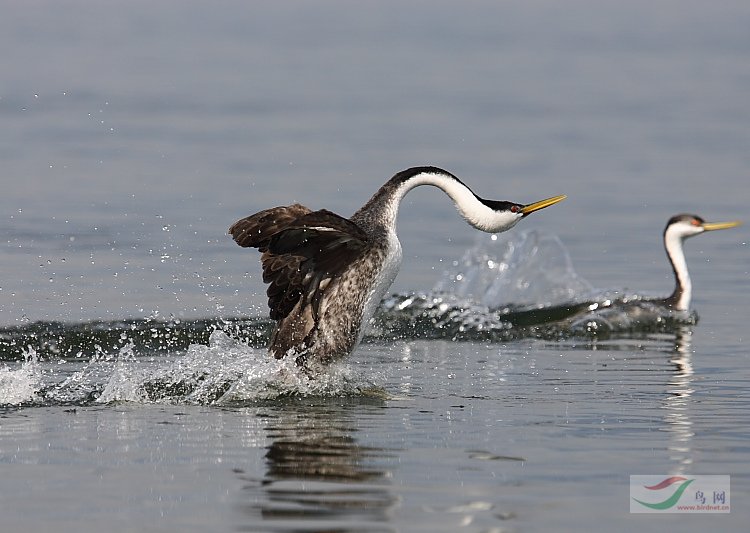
[[383, 206]]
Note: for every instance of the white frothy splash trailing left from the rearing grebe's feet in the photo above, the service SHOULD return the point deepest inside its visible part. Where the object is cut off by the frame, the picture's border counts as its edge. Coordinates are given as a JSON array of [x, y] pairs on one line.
[[223, 371]]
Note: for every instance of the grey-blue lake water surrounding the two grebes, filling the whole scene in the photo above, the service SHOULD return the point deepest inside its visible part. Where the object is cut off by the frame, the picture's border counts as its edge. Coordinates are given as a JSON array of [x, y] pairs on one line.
[[136, 393]]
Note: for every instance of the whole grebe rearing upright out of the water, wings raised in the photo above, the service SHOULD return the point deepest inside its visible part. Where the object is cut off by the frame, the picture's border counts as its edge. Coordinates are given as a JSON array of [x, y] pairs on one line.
[[327, 274]]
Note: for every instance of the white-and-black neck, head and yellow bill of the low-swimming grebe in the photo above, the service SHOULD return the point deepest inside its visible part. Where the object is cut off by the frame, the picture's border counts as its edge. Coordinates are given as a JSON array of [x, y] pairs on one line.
[[679, 228]]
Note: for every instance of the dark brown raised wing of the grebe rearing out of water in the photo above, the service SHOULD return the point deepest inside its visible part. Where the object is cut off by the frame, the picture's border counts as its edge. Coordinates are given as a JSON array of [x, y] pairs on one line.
[[302, 254]]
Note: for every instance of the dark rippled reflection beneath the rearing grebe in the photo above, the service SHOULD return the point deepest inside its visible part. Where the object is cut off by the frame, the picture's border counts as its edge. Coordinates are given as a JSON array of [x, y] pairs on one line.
[[317, 472]]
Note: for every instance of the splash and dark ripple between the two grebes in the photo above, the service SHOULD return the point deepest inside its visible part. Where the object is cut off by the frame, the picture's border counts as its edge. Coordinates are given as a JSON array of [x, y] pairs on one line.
[[521, 286]]
